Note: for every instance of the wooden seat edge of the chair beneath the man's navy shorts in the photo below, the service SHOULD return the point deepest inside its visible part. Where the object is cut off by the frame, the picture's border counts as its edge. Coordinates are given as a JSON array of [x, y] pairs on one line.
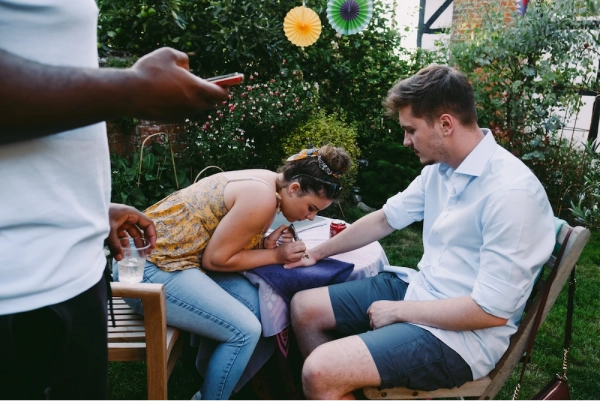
[[469, 389]]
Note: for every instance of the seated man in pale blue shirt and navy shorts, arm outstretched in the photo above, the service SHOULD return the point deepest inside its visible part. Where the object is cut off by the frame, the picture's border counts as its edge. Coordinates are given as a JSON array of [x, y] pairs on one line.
[[487, 230]]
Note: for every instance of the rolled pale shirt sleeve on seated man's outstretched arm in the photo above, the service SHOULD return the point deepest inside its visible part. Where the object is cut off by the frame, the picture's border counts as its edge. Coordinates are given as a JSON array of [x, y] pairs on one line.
[[407, 206]]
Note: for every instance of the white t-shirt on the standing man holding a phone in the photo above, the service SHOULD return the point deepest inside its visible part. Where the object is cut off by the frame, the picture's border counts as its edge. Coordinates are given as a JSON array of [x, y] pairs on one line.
[[54, 191]]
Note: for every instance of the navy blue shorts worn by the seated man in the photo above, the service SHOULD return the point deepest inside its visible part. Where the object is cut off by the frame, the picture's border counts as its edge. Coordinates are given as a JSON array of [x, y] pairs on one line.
[[405, 355]]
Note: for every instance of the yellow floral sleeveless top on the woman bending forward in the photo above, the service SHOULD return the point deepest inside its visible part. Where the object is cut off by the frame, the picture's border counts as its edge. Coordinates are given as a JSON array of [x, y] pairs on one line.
[[186, 220]]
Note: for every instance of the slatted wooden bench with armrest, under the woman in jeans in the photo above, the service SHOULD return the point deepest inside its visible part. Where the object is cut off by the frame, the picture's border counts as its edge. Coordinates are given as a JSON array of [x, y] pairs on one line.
[[144, 338]]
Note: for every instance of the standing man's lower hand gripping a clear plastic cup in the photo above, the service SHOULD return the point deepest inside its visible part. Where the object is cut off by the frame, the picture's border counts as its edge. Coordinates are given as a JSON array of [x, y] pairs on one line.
[[128, 220]]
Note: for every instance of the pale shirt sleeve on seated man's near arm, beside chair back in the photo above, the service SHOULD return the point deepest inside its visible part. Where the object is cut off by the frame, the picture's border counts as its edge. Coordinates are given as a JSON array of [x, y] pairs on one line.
[[518, 238]]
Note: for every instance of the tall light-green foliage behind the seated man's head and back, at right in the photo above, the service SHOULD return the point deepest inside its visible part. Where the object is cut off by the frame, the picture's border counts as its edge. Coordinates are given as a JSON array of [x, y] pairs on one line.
[[527, 73]]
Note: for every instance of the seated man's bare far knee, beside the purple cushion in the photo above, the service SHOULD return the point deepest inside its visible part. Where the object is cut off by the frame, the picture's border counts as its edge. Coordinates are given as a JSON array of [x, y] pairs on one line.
[[312, 319]]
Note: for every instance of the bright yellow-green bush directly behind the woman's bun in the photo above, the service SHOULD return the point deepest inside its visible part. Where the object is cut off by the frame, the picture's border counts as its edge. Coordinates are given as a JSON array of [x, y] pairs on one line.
[[322, 129]]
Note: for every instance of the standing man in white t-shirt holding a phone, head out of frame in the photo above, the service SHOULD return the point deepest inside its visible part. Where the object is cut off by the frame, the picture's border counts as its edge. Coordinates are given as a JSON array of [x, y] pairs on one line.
[[55, 211]]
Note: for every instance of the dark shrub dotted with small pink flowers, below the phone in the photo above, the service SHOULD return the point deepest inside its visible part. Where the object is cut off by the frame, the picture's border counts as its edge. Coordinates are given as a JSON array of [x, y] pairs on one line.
[[245, 131]]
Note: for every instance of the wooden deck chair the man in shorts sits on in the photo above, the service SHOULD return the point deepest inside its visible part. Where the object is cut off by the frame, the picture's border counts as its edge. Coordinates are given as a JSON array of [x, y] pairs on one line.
[[487, 387]]
